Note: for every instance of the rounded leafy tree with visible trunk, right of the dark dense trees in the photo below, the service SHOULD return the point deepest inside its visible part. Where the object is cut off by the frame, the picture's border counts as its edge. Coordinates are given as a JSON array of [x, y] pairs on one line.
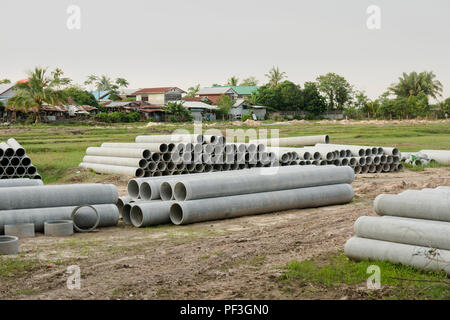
[[336, 90]]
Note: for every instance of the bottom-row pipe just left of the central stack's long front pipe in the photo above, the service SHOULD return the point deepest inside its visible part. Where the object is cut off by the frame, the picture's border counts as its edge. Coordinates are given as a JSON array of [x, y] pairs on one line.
[[145, 214]]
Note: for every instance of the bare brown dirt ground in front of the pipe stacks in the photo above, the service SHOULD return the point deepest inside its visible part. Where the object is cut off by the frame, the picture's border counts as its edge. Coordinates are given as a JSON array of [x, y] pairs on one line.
[[238, 258]]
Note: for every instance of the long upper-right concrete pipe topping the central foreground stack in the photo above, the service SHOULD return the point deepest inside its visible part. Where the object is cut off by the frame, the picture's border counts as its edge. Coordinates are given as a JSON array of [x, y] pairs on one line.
[[291, 177]]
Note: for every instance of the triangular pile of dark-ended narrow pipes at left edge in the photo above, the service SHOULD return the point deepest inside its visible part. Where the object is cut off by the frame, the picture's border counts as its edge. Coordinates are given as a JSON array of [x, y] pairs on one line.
[[14, 163]]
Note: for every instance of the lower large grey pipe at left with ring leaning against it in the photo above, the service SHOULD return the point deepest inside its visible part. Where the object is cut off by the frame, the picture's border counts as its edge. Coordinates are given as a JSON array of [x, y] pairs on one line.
[[85, 217]]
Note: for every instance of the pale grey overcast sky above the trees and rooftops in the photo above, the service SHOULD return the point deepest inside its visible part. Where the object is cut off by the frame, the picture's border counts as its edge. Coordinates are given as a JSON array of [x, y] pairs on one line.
[[186, 42]]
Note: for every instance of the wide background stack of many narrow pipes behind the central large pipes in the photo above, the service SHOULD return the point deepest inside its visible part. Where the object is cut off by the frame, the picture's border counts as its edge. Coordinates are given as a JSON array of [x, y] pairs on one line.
[[164, 155]]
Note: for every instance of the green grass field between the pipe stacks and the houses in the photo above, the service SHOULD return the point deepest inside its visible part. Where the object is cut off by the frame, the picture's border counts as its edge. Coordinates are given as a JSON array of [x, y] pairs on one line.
[[55, 149]]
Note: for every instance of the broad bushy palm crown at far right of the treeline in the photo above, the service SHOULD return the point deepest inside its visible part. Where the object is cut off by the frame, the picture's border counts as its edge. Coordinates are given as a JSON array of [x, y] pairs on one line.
[[414, 83]]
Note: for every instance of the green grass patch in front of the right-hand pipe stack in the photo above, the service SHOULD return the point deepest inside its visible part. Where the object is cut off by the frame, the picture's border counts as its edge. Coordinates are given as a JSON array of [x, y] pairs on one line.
[[401, 281]]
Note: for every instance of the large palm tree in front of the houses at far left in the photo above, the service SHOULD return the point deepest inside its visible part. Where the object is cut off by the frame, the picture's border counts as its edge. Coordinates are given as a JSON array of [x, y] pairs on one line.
[[36, 92]]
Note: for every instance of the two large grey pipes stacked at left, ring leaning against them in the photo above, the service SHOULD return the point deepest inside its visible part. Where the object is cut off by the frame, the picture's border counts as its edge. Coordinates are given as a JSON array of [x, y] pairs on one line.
[[27, 202]]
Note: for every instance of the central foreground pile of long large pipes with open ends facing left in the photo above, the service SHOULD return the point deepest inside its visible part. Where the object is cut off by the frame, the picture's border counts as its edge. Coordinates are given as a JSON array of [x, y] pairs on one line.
[[219, 195]]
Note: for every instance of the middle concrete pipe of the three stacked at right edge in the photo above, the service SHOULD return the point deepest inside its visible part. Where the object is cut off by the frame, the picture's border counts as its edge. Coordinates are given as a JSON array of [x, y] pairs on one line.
[[418, 232]]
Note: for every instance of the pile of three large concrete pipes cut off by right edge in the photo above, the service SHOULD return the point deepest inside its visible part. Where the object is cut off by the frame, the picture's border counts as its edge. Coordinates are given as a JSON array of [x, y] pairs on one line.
[[413, 230]]
